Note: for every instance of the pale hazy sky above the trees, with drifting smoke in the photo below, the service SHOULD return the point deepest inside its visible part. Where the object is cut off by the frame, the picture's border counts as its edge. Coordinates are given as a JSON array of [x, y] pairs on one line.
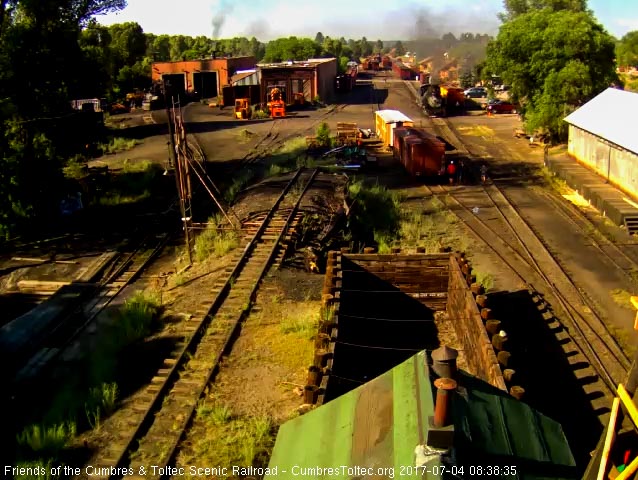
[[374, 19]]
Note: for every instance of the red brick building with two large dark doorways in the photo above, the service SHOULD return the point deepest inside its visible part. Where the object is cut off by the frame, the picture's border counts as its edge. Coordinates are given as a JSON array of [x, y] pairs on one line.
[[205, 77]]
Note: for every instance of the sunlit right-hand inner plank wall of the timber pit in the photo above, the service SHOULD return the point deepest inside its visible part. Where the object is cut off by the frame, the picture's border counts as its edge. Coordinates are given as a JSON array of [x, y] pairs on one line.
[[465, 314]]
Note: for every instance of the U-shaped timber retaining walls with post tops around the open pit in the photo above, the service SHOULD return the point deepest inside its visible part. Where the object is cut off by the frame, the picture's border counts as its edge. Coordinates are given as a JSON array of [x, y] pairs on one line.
[[440, 282]]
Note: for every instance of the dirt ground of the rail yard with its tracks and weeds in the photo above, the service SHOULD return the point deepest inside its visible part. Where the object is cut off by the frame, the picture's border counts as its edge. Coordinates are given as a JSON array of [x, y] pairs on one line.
[[224, 360]]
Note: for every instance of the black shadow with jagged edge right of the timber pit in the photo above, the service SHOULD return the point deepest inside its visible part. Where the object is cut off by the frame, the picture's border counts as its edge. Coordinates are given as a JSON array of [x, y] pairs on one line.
[[544, 371]]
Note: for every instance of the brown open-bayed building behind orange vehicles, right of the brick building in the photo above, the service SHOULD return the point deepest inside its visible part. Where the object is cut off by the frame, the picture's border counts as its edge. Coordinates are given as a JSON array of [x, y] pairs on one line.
[[312, 77]]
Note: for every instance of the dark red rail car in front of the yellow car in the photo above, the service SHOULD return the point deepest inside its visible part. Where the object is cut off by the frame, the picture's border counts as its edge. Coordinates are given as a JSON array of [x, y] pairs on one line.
[[421, 154]]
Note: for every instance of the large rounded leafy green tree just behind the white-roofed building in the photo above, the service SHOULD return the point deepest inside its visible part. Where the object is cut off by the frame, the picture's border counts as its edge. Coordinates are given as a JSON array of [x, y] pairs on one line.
[[554, 60]]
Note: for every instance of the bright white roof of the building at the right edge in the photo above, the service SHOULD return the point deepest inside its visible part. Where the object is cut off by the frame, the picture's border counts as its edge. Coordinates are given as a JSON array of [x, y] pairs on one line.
[[610, 115]]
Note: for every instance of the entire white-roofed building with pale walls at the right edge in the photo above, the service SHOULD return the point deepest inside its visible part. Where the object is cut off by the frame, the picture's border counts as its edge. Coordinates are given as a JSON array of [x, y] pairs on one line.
[[602, 136]]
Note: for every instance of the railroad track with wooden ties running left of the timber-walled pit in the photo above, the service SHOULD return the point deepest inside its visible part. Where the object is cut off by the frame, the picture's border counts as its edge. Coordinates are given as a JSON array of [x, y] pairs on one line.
[[156, 422]]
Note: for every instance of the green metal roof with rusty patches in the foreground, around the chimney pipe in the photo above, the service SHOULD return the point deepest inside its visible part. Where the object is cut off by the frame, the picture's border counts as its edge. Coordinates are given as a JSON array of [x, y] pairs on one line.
[[378, 426]]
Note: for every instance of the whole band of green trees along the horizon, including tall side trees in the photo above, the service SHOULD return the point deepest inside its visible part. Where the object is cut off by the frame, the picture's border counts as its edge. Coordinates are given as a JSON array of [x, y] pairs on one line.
[[553, 52]]
